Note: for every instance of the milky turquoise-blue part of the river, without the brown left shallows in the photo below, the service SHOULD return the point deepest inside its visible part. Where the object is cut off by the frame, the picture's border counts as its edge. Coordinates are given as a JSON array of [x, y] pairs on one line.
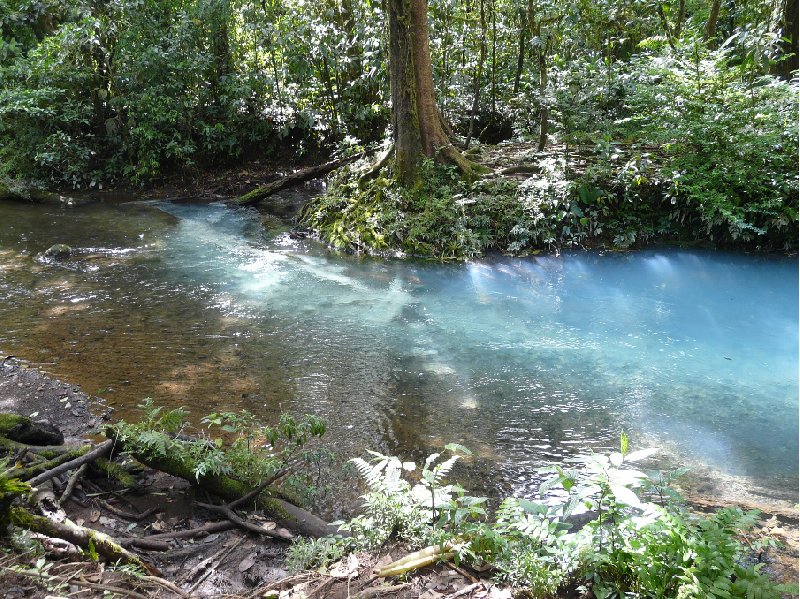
[[525, 360]]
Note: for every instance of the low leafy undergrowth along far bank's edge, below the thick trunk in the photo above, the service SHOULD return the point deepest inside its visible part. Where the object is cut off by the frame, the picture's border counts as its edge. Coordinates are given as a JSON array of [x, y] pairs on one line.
[[619, 204]]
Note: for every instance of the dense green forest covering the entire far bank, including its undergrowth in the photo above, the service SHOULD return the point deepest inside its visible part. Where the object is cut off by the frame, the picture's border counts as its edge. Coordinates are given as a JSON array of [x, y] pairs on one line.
[[618, 123]]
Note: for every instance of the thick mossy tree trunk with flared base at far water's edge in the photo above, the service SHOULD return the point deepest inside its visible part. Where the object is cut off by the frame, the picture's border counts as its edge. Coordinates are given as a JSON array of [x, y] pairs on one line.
[[417, 125]]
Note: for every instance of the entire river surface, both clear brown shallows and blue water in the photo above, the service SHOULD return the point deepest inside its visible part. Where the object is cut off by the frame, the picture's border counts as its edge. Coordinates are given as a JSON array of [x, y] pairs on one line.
[[525, 361]]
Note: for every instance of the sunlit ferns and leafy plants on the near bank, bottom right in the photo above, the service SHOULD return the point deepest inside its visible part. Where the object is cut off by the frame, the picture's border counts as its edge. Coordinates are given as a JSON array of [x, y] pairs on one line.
[[630, 547]]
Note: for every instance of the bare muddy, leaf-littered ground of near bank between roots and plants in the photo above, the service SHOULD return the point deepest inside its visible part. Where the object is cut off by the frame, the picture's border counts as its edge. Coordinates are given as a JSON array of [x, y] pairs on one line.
[[225, 561]]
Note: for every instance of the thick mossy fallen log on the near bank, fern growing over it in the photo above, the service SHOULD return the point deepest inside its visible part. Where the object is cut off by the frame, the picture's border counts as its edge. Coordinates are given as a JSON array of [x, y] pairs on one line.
[[283, 512]]
